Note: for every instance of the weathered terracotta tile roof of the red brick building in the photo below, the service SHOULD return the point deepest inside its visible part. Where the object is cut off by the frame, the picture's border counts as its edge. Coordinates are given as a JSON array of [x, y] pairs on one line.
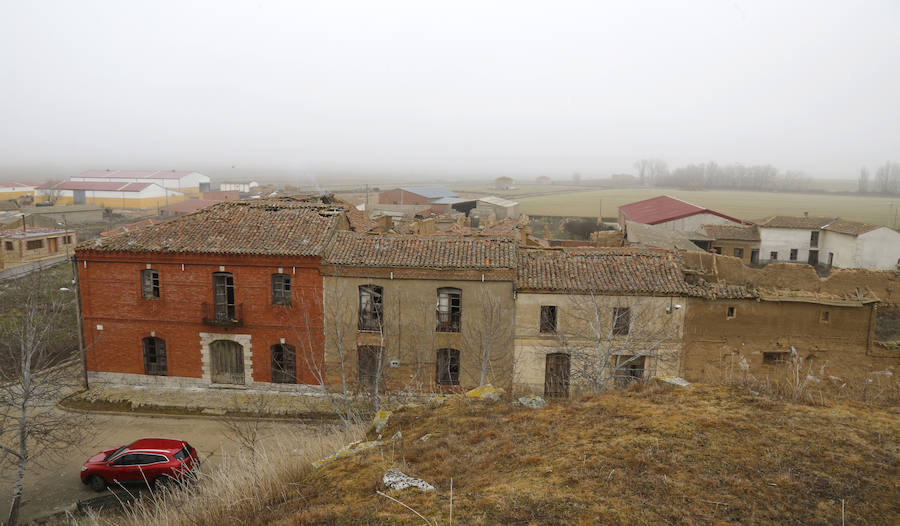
[[283, 226]]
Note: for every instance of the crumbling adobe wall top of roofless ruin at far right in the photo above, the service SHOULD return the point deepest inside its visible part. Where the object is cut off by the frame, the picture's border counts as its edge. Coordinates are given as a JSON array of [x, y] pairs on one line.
[[885, 284]]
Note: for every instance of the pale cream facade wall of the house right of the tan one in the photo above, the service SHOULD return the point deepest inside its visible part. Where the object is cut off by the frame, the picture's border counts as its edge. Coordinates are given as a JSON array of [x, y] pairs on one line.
[[652, 327]]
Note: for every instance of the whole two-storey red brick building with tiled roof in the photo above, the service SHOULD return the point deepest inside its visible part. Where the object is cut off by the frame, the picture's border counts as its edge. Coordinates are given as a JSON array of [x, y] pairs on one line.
[[229, 295]]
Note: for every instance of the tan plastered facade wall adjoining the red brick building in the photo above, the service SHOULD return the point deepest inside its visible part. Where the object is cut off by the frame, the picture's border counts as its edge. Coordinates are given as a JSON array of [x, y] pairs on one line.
[[408, 334]]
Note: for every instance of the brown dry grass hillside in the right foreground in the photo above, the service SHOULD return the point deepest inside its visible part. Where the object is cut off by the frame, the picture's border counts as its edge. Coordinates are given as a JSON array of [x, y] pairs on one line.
[[698, 455]]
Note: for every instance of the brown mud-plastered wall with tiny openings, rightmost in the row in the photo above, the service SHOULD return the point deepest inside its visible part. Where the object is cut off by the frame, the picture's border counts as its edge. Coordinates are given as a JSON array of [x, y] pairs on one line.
[[714, 344]]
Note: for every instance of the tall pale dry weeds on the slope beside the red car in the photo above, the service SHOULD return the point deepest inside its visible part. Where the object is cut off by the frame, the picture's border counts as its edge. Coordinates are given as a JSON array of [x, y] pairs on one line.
[[242, 489]]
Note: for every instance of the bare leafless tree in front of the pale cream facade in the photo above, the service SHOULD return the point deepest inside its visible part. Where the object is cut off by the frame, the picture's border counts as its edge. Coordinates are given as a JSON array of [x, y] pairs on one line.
[[618, 339]]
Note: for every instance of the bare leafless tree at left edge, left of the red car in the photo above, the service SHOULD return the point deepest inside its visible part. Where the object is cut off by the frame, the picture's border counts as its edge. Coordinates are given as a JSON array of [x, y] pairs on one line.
[[36, 371]]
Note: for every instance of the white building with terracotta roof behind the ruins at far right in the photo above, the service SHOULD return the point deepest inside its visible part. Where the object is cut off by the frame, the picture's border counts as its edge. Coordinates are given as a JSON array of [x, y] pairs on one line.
[[828, 241]]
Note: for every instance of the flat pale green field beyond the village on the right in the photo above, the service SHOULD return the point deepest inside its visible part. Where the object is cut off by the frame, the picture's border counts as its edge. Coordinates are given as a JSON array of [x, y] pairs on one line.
[[743, 205]]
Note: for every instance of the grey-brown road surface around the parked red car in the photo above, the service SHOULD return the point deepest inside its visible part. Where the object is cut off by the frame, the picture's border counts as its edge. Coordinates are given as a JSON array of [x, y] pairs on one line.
[[56, 484]]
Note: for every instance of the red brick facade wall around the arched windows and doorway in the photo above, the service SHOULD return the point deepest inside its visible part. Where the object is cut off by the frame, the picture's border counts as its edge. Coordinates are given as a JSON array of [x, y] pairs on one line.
[[117, 317]]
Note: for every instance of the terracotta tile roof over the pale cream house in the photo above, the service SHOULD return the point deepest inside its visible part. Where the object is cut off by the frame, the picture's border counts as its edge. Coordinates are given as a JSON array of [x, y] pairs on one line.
[[602, 271]]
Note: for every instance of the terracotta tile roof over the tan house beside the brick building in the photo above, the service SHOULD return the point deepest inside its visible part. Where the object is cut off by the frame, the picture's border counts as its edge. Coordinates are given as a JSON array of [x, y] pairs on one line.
[[433, 252]]
